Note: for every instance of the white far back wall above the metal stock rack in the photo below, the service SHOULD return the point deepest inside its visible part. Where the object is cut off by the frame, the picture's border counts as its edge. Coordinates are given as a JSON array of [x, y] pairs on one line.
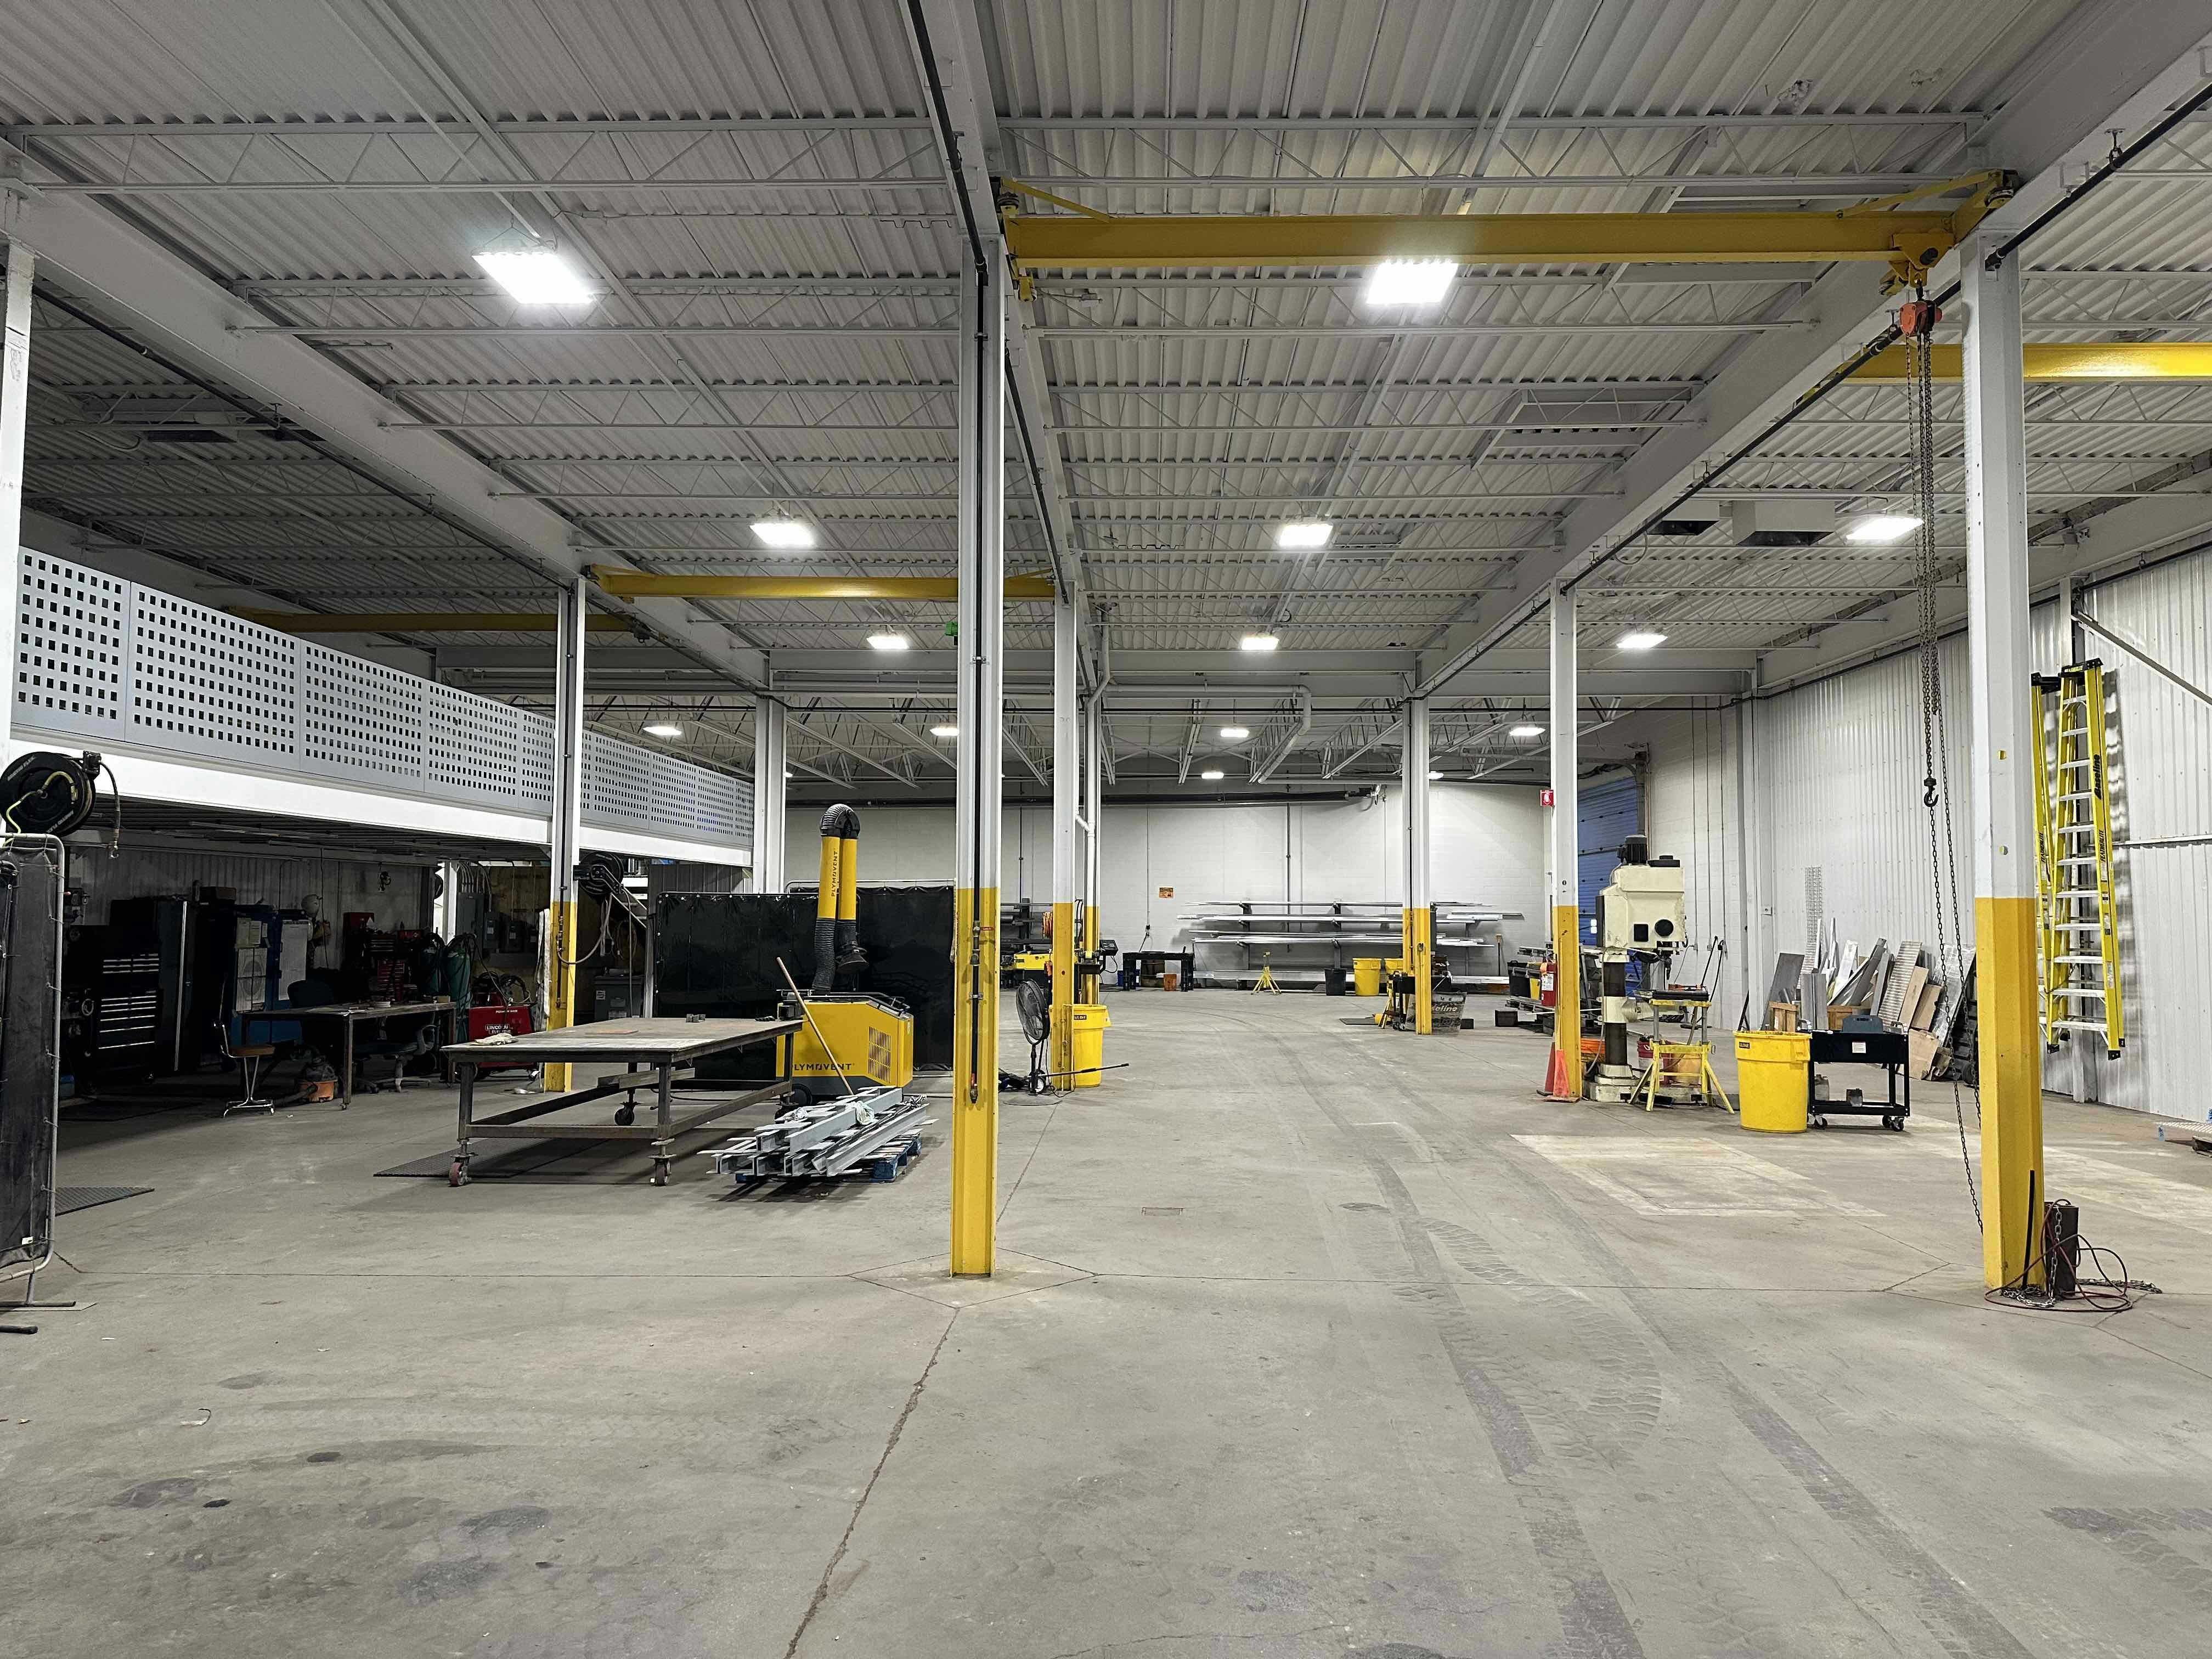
[[1488, 846]]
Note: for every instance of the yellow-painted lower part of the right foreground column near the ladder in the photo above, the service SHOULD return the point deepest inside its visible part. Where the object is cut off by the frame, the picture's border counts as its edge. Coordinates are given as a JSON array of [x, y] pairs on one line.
[[2012, 1072]]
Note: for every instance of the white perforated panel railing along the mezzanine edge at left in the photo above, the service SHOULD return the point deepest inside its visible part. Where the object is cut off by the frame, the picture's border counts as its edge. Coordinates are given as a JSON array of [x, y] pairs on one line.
[[109, 662]]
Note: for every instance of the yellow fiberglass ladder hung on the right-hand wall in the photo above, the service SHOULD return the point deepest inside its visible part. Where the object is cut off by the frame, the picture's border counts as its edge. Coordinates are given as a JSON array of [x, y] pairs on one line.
[[2078, 943]]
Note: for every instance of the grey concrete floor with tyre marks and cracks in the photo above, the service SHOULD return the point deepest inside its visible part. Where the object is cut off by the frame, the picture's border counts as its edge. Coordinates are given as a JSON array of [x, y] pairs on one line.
[[1308, 1342]]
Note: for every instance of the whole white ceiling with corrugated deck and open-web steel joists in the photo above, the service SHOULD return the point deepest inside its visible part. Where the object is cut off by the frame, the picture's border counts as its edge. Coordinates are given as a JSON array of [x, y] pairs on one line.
[[762, 202]]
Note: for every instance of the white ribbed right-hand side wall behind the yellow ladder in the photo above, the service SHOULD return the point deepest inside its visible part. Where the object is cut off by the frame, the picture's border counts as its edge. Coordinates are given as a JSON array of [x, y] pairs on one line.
[[1839, 773]]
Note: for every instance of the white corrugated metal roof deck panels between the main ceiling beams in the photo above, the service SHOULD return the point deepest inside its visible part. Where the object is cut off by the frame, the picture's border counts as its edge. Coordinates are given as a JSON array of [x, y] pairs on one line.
[[1187, 413]]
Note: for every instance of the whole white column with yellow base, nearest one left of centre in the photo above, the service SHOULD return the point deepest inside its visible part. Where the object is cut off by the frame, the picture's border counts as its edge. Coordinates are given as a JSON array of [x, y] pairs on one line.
[[977, 802]]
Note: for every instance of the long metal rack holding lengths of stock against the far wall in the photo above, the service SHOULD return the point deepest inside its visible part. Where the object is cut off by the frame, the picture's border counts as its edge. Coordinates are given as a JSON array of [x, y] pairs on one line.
[[1235, 939]]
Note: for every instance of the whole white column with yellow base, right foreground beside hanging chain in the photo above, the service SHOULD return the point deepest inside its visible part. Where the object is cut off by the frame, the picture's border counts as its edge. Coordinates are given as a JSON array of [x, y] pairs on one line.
[[2005, 729]]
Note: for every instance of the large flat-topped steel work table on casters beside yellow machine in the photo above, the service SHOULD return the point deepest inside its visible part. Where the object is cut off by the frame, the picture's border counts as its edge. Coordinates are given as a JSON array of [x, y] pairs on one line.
[[651, 1052]]
